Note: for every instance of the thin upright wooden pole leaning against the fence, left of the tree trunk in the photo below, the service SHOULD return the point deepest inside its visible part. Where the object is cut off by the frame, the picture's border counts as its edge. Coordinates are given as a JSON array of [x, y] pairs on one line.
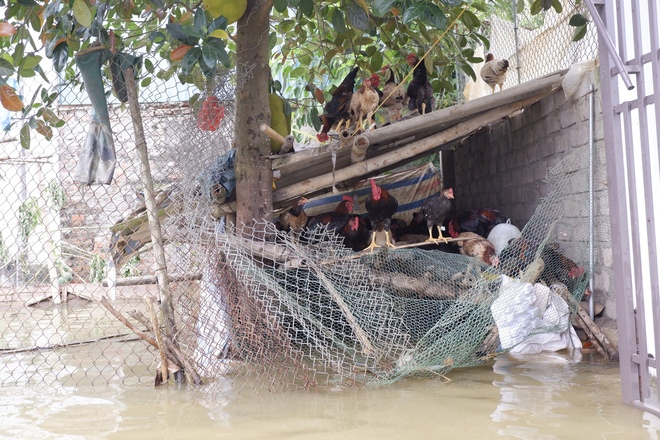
[[150, 202]]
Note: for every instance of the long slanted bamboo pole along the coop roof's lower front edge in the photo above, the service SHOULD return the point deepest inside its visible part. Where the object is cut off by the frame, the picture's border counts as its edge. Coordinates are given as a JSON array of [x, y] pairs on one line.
[[415, 148]]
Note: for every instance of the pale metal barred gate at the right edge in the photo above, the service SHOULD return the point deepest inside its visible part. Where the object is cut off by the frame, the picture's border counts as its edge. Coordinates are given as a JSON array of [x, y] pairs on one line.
[[630, 76]]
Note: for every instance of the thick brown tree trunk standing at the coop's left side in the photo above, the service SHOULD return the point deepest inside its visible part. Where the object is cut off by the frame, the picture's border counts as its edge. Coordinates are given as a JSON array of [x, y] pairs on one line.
[[254, 176]]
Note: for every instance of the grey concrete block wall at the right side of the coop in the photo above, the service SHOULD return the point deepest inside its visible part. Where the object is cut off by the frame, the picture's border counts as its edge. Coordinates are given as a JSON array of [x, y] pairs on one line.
[[505, 166]]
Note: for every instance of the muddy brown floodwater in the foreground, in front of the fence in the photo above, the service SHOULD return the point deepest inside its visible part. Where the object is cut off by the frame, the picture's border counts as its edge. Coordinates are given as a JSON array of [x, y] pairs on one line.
[[547, 396]]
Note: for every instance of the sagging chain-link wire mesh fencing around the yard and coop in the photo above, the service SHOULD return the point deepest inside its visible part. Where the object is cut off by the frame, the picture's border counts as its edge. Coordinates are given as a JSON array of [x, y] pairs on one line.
[[319, 317]]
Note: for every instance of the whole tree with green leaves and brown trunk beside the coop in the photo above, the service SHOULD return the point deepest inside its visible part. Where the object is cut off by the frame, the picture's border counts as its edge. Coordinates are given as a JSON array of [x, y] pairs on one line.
[[309, 46]]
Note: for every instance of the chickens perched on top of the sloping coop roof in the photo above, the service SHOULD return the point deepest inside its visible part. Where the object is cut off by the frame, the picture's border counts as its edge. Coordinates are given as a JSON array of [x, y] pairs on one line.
[[357, 107]]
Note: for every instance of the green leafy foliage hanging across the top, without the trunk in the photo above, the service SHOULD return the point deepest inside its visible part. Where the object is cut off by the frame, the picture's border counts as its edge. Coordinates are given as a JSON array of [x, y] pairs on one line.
[[312, 42]]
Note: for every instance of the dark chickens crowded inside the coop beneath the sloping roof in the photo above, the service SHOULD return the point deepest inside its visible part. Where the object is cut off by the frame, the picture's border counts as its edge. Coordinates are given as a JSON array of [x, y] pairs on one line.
[[470, 229]]
